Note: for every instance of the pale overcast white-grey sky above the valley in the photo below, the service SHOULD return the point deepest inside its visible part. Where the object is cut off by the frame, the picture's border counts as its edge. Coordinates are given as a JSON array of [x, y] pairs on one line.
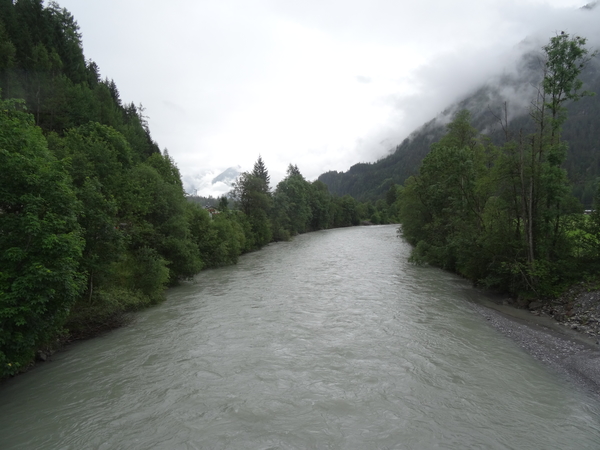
[[322, 84]]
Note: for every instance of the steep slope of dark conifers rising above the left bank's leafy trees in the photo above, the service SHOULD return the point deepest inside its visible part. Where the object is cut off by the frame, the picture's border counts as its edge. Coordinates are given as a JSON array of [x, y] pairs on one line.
[[42, 62]]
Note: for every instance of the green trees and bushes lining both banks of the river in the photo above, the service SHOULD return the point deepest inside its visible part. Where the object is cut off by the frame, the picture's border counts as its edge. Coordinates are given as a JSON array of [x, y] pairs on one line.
[[94, 220]]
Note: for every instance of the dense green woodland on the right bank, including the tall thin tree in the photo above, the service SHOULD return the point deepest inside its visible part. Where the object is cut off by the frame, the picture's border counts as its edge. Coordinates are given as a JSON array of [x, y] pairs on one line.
[[505, 215]]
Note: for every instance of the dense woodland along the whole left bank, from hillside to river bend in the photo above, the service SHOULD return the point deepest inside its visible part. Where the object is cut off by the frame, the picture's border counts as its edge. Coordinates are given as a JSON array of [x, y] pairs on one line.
[[94, 221]]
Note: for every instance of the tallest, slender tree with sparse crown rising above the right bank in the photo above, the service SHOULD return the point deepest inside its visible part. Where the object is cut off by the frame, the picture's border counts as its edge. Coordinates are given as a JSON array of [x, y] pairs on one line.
[[543, 182]]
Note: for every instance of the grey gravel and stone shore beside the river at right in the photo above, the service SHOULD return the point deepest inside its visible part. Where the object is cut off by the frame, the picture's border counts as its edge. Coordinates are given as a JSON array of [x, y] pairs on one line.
[[563, 333]]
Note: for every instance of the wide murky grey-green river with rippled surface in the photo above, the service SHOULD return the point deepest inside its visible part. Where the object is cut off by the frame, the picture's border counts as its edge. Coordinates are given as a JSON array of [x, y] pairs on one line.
[[330, 341]]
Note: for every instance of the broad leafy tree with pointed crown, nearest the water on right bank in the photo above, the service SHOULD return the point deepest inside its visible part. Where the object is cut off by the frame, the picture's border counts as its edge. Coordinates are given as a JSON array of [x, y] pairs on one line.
[[442, 207]]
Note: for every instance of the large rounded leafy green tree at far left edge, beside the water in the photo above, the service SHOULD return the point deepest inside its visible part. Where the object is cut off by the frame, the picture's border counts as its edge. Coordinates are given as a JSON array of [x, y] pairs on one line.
[[40, 240]]
